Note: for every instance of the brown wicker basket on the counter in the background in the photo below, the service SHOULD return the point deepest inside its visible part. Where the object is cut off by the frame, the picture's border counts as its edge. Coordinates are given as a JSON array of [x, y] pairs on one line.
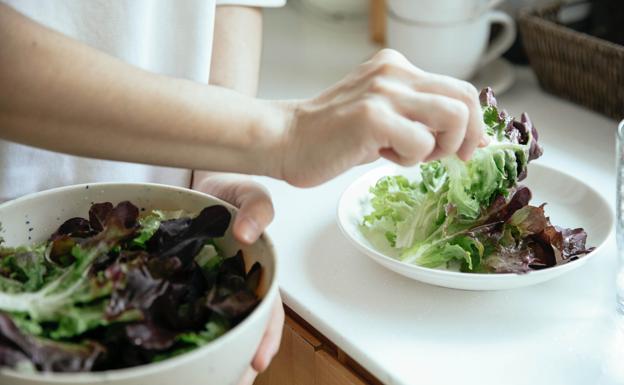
[[574, 65]]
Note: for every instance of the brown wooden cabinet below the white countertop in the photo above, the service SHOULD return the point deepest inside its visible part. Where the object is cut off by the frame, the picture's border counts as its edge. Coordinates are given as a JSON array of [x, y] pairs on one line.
[[308, 358]]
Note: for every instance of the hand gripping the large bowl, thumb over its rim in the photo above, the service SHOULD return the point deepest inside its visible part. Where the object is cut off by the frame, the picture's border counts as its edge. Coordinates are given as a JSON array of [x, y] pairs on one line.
[[254, 215]]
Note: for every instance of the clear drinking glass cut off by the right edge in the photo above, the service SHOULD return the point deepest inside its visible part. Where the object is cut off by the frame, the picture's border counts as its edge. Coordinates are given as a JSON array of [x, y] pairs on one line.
[[619, 207]]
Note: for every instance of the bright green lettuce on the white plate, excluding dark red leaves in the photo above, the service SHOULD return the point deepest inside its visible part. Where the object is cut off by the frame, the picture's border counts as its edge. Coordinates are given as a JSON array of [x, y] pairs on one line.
[[429, 221]]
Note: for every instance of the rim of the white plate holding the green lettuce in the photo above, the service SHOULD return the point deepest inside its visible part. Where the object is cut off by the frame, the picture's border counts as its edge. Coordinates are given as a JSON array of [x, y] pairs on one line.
[[340, 217]]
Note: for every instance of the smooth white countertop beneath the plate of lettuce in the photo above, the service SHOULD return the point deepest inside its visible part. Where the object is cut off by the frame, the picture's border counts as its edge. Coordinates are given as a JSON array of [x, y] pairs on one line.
[[405, 332]]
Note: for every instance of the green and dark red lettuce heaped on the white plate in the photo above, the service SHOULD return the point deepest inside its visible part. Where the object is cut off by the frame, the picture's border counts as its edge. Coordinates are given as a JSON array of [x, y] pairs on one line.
[[473, 216]]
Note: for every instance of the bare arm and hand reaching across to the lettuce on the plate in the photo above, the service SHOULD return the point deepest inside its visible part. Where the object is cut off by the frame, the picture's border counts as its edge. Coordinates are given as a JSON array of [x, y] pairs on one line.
[[61, 95]]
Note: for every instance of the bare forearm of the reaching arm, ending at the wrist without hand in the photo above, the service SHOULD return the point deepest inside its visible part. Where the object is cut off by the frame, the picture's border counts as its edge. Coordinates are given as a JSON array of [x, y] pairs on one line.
[[64, 96]]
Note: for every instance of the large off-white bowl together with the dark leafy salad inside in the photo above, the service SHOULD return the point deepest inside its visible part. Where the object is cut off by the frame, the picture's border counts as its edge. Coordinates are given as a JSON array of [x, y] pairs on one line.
[[122, 283]]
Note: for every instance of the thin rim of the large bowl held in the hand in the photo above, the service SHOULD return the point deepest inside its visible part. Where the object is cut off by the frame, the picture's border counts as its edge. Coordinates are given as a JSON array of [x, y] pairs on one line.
[[153, 367]]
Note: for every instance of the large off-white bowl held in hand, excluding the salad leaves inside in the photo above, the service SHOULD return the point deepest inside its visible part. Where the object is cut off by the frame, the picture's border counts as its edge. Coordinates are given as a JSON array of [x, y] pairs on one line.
[[220, 362]]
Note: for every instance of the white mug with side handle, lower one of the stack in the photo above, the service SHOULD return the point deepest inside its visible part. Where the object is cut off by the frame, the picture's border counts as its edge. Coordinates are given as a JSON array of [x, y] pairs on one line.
[[457, 49]]
